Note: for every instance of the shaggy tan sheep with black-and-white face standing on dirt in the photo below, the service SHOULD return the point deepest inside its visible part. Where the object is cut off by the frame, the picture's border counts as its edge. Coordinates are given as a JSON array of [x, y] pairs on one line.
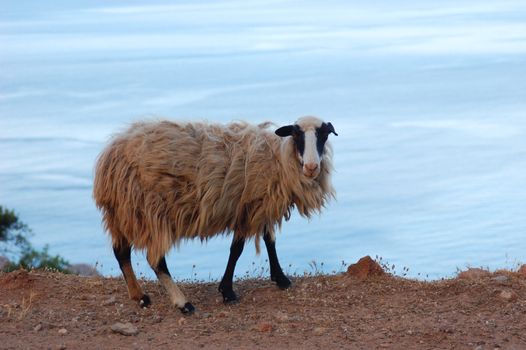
[[162, 182]]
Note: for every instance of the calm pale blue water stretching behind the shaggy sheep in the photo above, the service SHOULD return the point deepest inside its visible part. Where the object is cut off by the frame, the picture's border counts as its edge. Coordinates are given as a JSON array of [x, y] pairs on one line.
[[429, 101]]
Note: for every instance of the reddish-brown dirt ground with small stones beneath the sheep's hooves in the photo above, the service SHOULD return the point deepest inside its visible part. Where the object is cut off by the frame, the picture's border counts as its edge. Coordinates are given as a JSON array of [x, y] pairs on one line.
[[478, 310]]
